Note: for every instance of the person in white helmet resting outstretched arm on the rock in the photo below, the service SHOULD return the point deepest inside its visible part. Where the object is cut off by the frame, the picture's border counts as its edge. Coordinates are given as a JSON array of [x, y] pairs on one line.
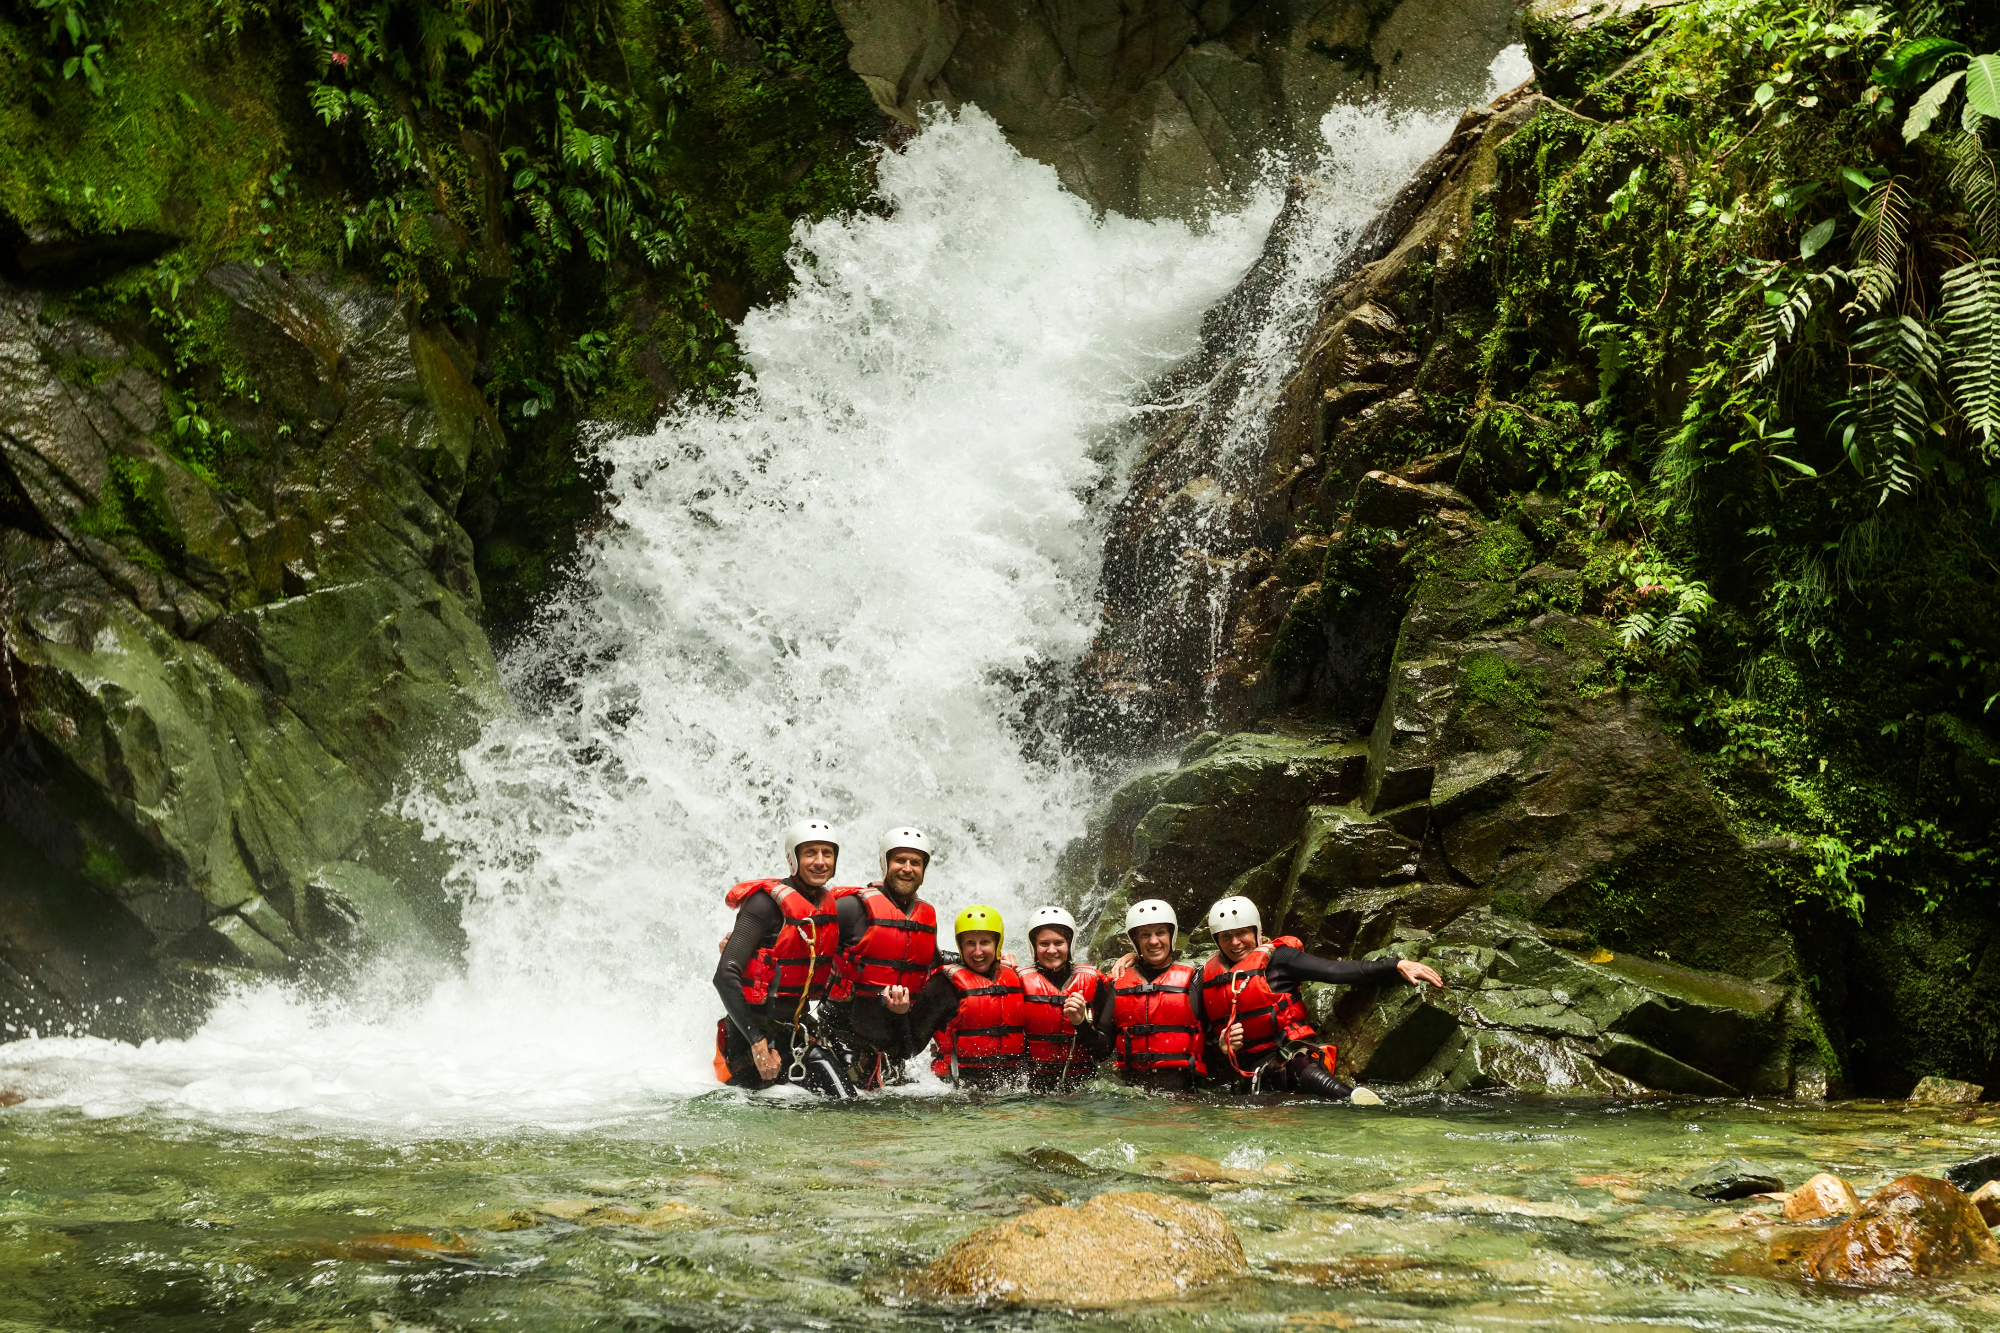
[[1257, 1030]]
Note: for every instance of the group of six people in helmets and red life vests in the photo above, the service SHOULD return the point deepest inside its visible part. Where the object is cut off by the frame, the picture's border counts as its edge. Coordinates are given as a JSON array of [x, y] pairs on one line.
[[839, 990]]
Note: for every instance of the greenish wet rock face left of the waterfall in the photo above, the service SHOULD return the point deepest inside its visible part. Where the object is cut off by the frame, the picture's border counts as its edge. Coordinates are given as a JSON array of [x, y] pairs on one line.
[[225, 639]]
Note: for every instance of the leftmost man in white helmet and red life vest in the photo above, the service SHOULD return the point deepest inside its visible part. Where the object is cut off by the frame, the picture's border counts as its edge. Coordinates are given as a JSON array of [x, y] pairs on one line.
[[775, 964]]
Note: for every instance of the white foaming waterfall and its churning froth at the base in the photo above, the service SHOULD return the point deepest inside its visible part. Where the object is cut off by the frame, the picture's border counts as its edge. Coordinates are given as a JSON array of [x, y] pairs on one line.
[[829, 597]]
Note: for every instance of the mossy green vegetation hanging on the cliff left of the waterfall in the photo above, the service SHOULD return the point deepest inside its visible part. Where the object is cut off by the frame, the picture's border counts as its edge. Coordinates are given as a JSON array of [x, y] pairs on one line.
[[583, 193]]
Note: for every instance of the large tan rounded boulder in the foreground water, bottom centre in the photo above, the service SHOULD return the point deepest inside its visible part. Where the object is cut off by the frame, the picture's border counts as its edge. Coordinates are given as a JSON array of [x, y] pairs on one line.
[[1115, 1250]]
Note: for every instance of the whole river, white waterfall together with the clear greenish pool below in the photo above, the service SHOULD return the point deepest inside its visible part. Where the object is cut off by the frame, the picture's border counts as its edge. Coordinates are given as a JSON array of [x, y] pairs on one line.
[[851, 589]]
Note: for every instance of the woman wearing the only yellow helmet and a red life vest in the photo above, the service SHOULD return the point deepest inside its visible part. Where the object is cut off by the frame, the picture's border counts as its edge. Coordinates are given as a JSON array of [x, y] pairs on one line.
[[975, 1010]]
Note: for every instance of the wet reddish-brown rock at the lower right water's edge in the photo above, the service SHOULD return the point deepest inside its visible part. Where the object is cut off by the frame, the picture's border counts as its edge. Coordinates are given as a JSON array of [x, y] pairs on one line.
[[1911, 1228]]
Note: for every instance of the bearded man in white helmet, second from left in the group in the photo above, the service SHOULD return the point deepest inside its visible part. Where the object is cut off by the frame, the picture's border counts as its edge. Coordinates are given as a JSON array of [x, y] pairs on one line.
[[889, 946]]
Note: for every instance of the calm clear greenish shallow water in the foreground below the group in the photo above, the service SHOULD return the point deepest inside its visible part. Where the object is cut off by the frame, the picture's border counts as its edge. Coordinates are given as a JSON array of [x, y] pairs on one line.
[[753, 1214]]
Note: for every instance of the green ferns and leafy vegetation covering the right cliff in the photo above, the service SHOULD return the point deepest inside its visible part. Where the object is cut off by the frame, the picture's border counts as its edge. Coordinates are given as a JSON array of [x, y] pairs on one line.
[[1737, 305]]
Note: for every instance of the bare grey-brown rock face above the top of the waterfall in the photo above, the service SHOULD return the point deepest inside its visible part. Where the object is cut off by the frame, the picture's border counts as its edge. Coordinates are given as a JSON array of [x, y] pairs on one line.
[[1155, 107]]
